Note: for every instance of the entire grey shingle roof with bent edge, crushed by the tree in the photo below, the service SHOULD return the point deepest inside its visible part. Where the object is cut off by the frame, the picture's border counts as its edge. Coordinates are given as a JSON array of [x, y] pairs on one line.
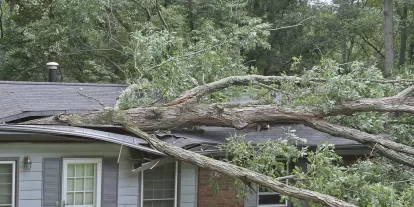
[[35, 99]]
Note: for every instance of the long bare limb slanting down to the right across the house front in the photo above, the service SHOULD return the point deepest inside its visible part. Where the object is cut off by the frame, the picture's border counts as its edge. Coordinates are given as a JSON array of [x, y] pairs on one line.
[[236, 171]]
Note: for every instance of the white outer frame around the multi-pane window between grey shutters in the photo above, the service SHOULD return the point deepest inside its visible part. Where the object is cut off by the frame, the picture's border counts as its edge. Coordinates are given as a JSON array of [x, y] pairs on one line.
[[98, 162]]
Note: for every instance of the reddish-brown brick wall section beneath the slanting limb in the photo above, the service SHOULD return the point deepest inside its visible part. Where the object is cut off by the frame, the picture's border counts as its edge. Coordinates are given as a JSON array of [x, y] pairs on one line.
[[208, 198]]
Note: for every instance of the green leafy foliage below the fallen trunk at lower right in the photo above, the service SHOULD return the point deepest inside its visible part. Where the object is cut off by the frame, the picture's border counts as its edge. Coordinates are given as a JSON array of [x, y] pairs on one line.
[[368, 182]]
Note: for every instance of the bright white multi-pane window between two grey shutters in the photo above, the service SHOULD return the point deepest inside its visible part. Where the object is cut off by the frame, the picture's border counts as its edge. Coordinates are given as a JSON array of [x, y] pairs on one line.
[[82, 182]]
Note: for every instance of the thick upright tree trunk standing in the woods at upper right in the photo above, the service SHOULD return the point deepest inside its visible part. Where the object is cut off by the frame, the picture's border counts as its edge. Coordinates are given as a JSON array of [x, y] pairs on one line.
[[388, 37]]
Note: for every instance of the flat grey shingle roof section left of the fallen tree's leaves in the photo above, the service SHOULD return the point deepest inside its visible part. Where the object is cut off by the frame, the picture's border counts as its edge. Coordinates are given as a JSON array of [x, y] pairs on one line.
[[22, 99]]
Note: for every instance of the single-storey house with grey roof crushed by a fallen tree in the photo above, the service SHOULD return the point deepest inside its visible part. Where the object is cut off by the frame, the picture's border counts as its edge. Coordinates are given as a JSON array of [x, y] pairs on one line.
[[103, 166]]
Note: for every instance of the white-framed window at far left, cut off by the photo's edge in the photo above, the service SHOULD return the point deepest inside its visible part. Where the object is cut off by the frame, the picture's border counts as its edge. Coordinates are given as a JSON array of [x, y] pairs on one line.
[[7, 183]]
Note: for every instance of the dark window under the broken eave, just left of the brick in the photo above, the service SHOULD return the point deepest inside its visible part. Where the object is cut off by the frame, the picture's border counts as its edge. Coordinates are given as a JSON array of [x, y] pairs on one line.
[[159, 184]]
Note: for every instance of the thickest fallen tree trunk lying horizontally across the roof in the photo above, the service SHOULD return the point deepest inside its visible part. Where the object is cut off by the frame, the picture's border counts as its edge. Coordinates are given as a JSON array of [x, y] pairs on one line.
[[158, 118]]
